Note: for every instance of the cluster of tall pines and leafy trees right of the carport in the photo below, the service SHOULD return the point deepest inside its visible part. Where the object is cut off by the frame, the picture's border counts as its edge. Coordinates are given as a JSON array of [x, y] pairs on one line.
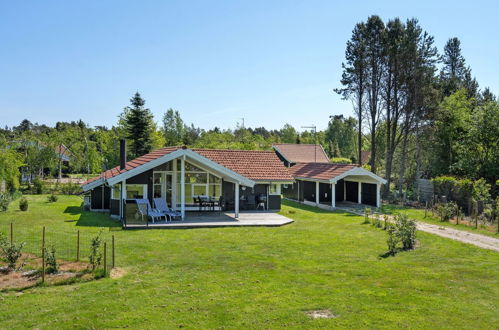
[[418, 112]]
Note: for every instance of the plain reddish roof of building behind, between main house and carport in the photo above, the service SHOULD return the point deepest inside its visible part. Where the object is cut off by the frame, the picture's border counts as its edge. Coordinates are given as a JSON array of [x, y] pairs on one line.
[[302, 153]]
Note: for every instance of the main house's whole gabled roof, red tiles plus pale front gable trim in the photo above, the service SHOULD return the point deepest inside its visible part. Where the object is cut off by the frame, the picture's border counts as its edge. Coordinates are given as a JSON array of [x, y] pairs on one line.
[[246, 166]]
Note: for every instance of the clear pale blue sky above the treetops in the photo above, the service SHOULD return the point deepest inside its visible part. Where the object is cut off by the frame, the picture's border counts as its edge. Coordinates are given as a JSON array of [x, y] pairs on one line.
[[271, 62]]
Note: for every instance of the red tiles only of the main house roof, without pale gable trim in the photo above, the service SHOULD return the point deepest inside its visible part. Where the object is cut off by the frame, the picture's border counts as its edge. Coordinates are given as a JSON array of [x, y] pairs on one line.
[[252, 164]]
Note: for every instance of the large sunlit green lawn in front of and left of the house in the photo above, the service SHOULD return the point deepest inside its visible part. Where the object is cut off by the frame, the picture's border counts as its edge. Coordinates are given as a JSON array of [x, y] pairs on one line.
[[262, 277]]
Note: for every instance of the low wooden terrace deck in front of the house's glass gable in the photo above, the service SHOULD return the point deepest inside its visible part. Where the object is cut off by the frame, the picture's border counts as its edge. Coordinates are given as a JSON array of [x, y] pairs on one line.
[[223, 219]]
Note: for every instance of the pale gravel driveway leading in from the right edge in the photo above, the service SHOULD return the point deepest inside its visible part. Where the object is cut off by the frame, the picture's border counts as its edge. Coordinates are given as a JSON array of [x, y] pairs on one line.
[[485, 242]]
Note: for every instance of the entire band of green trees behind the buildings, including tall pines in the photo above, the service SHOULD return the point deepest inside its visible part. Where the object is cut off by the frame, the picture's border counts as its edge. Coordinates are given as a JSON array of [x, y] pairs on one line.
[[418, 114]]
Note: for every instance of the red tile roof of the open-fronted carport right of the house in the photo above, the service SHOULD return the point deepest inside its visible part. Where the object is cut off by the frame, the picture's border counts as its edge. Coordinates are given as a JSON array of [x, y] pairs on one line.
[[319, 171]]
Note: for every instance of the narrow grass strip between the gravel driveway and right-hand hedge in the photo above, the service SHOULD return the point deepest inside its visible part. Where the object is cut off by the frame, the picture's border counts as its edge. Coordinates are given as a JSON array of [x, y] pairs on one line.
[[419, 214]]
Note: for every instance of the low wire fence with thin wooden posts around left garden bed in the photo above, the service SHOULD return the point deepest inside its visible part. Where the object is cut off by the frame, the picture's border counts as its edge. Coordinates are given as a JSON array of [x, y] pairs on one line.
[[68, 244]]
